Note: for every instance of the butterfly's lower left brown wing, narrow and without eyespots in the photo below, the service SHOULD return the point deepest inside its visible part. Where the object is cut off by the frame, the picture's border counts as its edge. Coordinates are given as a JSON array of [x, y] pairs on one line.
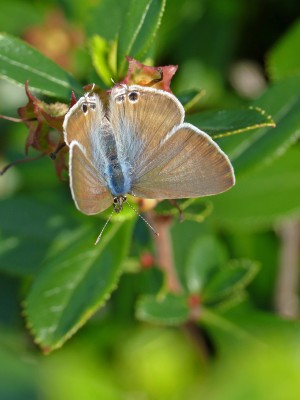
[[88, 188]]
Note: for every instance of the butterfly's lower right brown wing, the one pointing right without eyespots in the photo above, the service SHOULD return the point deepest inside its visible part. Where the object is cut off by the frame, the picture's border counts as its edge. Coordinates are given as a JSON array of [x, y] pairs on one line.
[[187, 164]]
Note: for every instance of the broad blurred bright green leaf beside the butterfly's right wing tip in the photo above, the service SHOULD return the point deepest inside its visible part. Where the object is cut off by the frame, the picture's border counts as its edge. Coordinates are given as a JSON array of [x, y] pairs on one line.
[[262, 198]]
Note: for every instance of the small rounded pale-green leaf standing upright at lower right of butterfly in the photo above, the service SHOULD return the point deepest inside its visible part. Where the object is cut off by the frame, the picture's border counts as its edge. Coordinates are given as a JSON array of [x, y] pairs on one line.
[[206, 254]]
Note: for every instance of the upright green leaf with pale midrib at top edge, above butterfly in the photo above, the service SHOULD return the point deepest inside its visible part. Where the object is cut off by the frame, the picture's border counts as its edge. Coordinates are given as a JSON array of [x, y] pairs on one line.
[[138, 29]]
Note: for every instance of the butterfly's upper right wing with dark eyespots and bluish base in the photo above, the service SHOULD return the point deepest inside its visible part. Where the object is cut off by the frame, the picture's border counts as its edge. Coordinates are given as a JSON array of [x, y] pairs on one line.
[[140, 118]]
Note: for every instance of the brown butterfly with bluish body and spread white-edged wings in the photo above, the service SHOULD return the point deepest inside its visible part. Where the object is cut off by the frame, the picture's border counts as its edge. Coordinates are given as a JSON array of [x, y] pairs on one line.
[[139, 144]]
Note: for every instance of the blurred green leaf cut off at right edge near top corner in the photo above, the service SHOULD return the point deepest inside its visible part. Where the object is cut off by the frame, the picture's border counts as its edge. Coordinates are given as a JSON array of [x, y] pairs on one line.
[[284, 58]]
